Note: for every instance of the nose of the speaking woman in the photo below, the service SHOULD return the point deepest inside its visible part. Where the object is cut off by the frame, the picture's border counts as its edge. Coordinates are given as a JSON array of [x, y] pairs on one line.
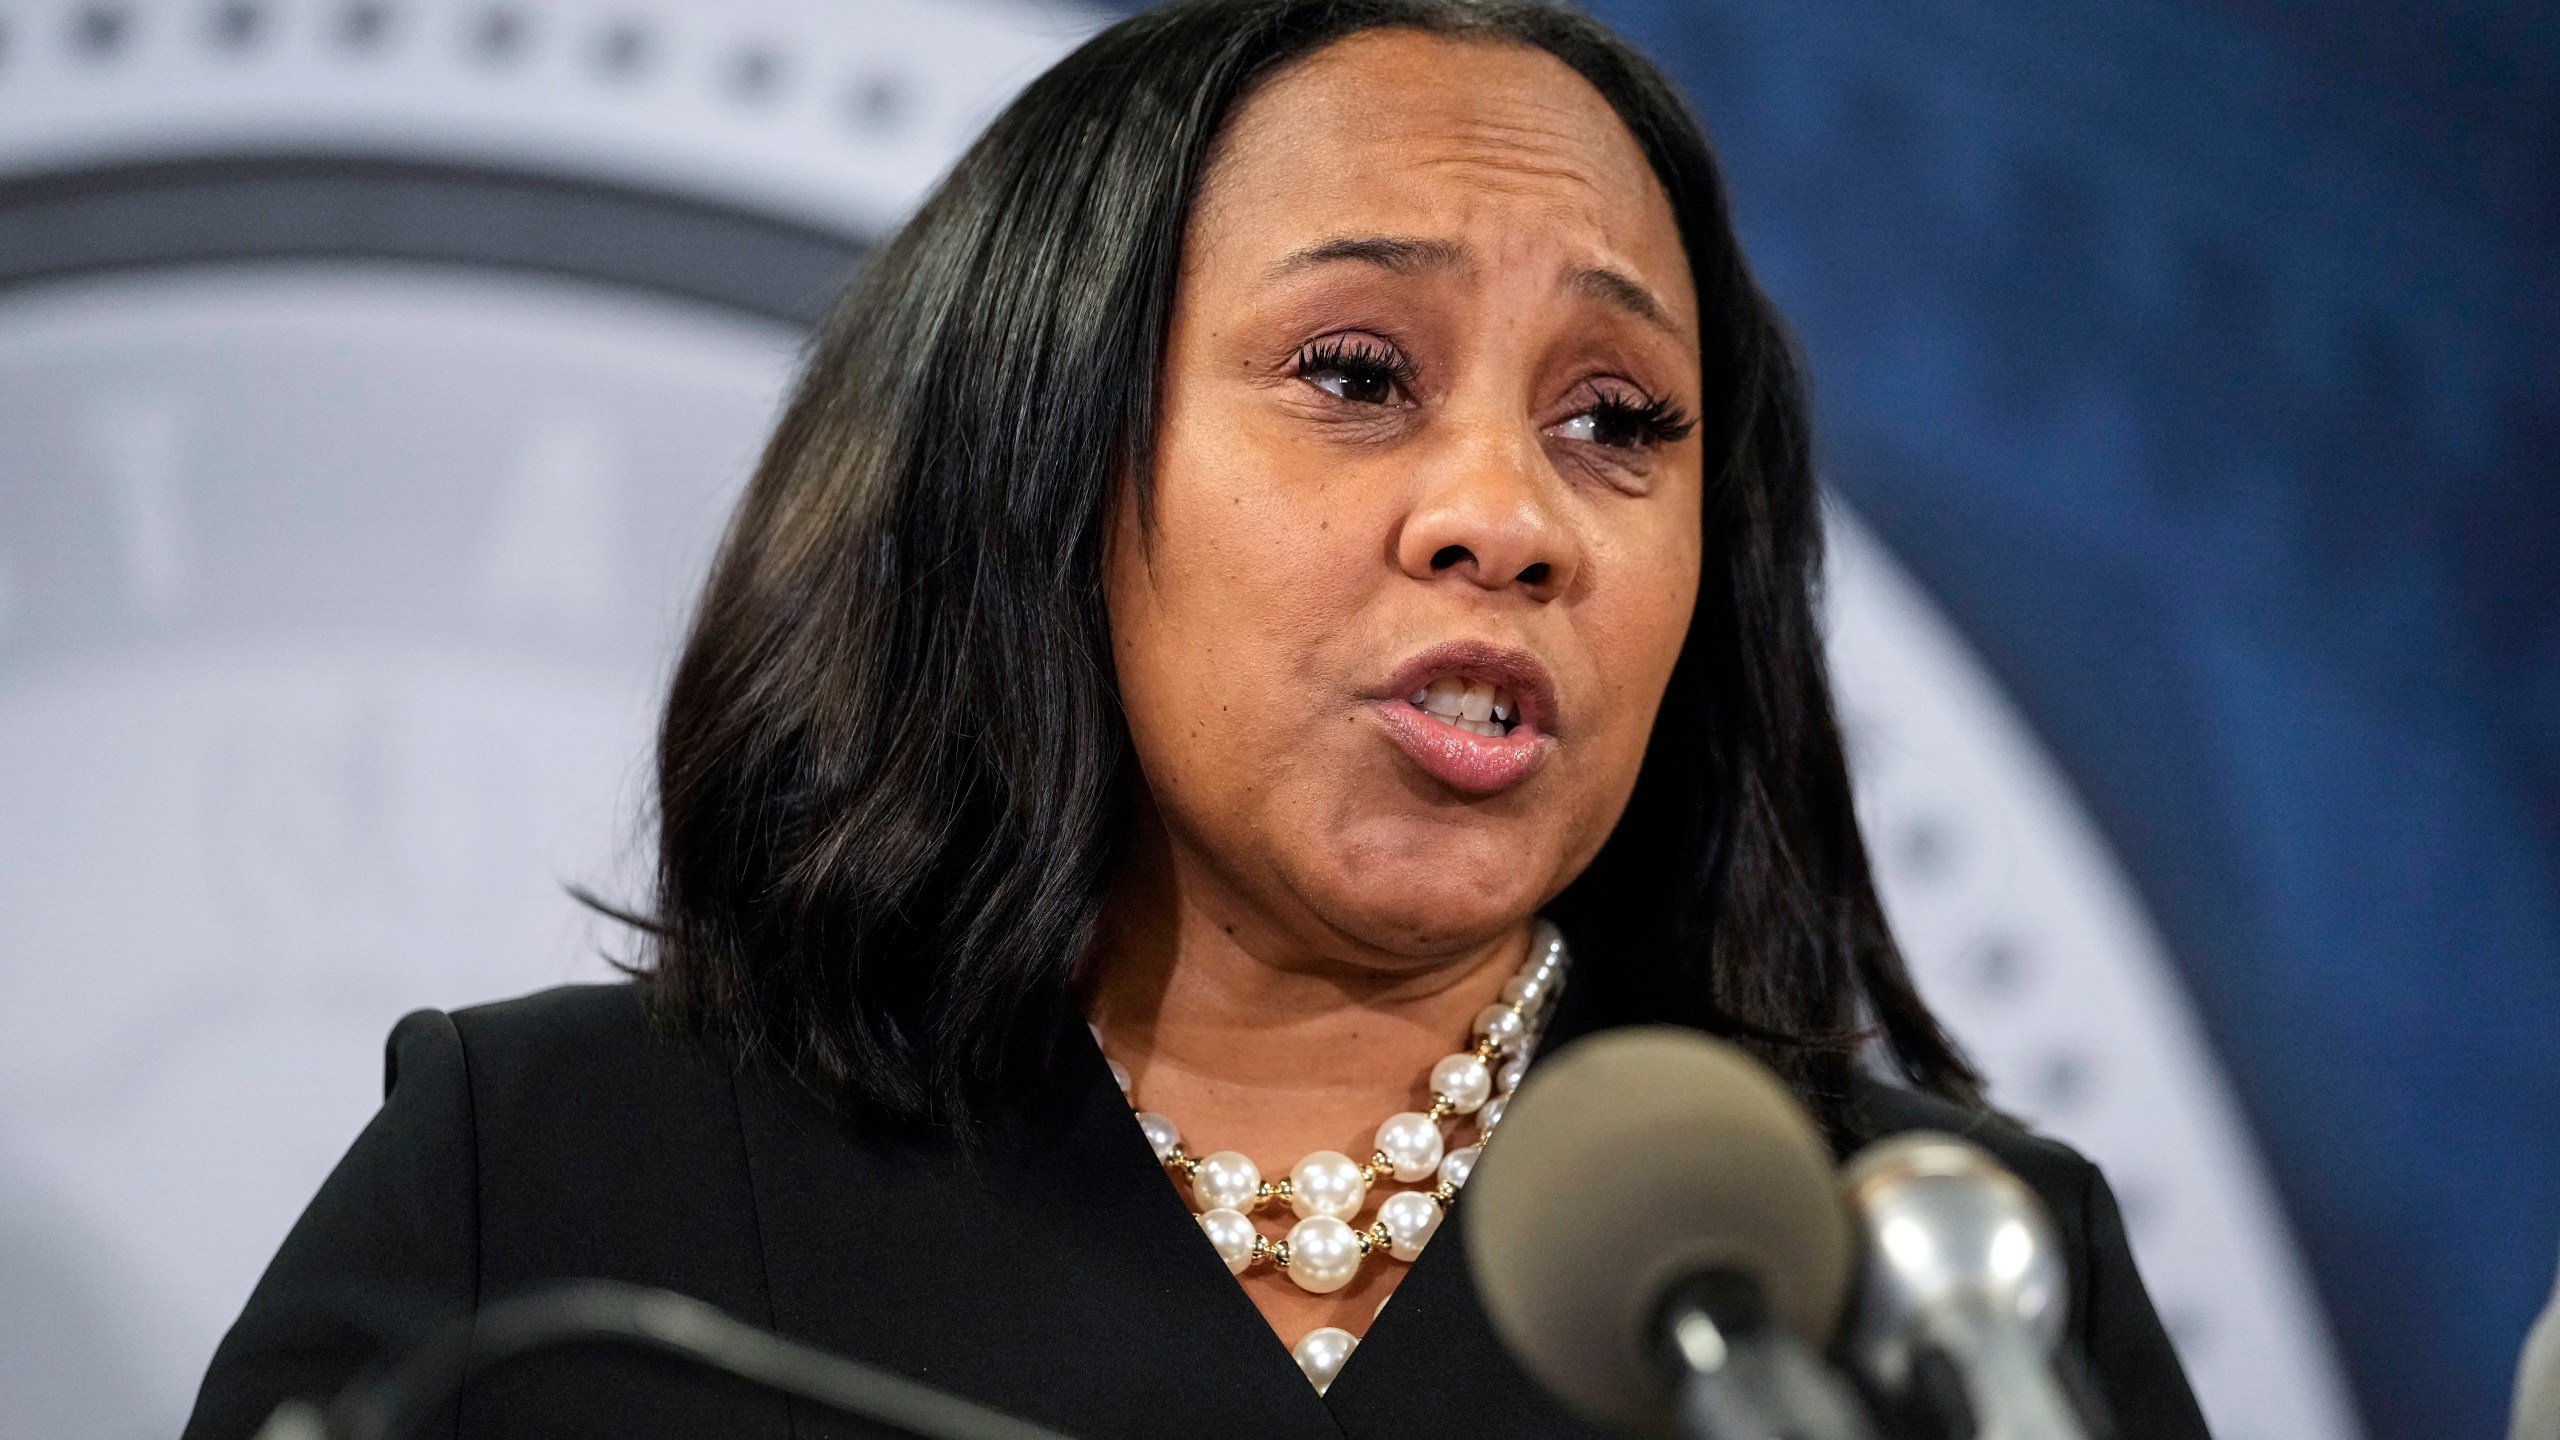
[[1489, 516]]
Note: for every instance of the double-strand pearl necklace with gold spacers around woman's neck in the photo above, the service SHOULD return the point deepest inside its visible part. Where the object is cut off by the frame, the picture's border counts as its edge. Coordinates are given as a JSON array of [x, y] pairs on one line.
[[1327, 1188]]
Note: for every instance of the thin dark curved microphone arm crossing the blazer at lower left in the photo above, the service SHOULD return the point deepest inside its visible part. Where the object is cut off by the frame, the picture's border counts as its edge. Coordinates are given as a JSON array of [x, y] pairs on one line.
[[603, 1313]]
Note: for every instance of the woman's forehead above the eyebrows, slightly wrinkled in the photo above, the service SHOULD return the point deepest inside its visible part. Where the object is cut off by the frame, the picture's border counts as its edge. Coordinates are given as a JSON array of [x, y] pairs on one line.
[[1491, 145]]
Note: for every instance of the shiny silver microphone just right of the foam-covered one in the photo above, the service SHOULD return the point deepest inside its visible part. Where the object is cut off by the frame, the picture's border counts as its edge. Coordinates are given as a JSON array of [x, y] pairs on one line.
[[1965, 1293]]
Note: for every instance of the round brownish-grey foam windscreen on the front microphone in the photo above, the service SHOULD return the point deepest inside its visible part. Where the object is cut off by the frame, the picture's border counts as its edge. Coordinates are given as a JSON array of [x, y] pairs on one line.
[[1624, 1167]]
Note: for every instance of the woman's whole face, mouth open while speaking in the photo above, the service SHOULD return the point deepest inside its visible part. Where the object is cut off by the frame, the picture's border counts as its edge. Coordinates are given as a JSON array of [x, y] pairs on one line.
[[1427, 501]]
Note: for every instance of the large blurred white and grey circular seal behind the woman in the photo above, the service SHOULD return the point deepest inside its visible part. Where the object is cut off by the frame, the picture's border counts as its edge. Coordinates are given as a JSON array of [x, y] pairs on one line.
[[375, 378]]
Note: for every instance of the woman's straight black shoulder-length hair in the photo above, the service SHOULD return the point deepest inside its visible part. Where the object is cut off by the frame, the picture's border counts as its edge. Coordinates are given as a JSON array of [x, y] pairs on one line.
[[895, 773]]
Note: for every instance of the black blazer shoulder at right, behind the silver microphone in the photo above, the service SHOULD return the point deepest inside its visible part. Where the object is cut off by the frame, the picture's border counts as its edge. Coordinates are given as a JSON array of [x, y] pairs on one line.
[[2116, 1334]]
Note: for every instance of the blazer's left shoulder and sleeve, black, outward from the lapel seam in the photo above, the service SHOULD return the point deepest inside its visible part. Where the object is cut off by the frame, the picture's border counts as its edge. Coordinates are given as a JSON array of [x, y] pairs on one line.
[[521, 1144]]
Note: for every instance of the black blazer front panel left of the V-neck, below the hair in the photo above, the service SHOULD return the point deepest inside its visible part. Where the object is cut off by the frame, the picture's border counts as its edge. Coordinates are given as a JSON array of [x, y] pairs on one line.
[[1053, 1275]]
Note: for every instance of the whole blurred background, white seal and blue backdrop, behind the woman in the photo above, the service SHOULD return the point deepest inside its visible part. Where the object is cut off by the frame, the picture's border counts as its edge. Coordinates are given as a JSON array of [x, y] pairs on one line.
[[375, 378]]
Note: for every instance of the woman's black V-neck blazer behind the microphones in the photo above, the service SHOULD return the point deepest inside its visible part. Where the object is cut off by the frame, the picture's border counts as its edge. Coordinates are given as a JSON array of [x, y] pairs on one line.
[[1053, 1275]]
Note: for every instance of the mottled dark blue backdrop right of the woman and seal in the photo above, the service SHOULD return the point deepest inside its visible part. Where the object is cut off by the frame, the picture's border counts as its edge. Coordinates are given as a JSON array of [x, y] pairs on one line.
[[2203, 360]]
